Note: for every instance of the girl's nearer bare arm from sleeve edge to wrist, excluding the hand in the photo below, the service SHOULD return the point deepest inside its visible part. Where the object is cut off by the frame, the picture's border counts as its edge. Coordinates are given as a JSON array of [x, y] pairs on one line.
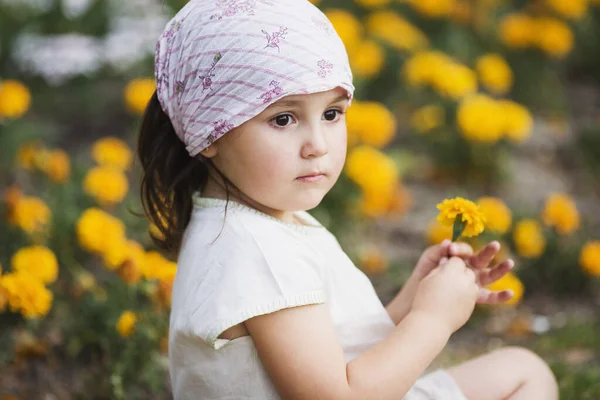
[[300, 350]]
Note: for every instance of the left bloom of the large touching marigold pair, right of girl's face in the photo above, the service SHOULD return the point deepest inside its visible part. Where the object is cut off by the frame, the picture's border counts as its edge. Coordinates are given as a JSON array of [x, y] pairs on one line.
[[480, 118]]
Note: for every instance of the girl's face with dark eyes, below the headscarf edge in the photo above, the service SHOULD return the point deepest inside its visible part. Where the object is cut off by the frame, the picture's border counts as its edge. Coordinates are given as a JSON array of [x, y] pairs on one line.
[[289, 156]]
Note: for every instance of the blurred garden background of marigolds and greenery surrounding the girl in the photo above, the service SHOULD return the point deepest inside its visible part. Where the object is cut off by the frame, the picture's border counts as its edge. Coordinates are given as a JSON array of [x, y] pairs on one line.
[[496, 101]]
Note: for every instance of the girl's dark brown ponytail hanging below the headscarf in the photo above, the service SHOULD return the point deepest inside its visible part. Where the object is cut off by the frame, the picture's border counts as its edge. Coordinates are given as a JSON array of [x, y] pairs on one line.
[[170, 176]]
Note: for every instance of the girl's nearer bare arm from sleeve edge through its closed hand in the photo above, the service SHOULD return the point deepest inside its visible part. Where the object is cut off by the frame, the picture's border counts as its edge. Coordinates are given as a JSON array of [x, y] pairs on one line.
[[299, 348]]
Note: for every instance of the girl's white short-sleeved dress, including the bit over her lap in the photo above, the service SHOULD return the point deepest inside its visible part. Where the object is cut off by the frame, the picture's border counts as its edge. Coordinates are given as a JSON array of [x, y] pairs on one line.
[[252, 264]]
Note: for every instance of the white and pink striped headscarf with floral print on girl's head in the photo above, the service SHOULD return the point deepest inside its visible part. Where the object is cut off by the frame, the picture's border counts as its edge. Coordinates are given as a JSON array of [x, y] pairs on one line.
[[220, 63]]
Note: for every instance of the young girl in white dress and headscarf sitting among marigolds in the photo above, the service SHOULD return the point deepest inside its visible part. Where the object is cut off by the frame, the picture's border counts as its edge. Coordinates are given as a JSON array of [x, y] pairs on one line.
[[245, 133]]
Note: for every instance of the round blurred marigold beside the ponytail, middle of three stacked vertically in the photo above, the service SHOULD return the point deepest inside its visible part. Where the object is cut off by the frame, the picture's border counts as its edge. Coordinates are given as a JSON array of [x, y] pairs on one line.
[[107, 185]]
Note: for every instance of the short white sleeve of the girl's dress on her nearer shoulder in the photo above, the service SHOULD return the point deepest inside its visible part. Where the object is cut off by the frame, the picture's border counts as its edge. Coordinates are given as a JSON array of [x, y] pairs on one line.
[[254, 272]]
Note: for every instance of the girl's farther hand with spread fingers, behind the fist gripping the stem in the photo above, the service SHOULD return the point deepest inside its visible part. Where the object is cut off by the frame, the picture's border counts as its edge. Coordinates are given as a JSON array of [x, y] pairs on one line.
[[434, 255]]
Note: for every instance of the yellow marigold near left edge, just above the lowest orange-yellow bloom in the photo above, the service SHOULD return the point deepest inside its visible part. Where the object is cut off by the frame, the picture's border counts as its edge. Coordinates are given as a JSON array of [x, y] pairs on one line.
[[39, 261]]
